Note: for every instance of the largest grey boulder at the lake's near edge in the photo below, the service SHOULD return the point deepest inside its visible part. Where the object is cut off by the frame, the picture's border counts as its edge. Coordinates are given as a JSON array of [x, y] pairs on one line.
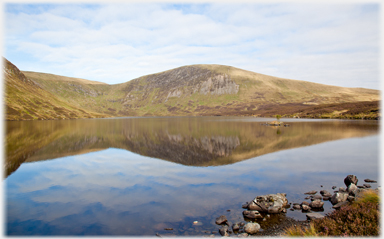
[[271, 203]]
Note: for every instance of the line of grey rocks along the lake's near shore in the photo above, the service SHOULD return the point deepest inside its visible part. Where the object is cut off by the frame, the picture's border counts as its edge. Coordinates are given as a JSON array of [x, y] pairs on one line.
[[262, 207]]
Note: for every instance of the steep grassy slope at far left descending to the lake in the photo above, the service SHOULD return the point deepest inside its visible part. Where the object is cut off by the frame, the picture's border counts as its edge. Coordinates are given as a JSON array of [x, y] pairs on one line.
[[25, 100]]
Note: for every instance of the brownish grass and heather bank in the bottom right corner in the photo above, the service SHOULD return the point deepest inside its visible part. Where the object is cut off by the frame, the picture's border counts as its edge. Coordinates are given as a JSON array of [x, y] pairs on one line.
[[360, 218]]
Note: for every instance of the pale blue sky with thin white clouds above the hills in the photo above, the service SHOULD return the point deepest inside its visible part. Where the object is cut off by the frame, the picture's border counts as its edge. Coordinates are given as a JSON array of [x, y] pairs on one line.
[[328, 43]]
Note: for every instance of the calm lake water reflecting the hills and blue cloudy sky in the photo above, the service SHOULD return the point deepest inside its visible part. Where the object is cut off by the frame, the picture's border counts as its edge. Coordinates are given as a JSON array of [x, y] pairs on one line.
[[138, 176]]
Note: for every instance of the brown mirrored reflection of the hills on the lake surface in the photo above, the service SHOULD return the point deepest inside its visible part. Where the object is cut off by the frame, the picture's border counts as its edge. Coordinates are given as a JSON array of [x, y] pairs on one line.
[[194, 141]]
